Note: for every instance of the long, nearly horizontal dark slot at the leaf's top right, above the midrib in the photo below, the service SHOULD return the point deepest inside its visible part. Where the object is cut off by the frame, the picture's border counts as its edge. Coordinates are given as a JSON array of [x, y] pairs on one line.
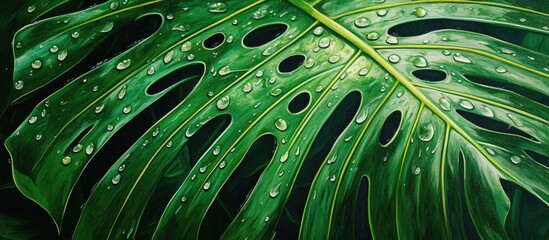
[[504, 33]]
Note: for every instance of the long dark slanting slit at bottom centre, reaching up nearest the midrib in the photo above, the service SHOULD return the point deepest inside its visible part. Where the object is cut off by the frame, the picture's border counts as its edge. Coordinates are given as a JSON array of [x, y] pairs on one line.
[[340, 118]]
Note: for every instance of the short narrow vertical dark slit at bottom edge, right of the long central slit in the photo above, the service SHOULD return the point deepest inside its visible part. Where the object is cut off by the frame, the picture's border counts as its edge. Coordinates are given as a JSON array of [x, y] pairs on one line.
[[362, 222]]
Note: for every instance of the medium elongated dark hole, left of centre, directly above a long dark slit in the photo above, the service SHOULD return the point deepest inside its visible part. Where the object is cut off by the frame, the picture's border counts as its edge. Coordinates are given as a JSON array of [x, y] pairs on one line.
[[186, 73]]
